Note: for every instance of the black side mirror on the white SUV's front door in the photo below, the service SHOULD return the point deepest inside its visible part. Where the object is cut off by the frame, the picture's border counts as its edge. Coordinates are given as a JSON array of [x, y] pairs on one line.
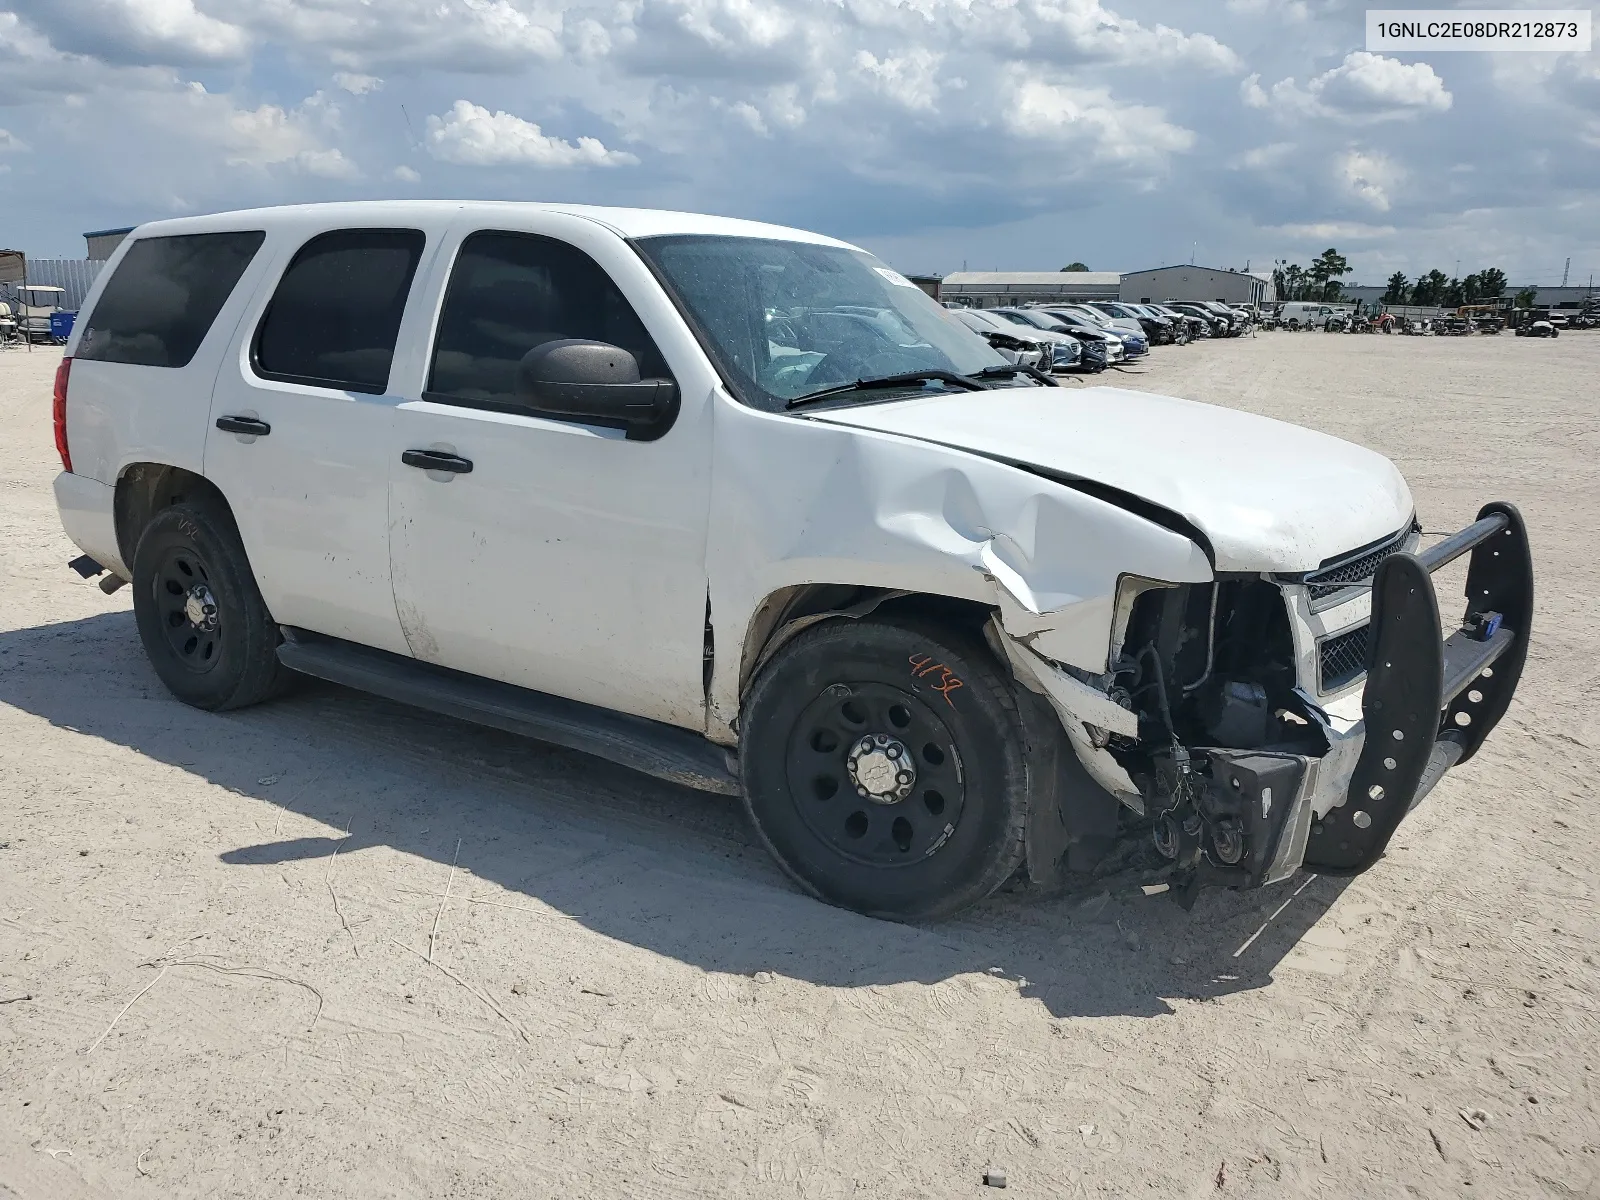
[[596, 385]]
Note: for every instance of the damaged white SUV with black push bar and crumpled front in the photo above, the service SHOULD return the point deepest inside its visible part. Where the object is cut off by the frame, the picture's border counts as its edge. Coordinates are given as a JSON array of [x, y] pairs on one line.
[[743, 508]]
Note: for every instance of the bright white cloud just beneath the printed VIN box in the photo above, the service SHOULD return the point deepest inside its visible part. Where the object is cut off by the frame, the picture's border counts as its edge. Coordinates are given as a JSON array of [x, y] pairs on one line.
[[1362, 89]]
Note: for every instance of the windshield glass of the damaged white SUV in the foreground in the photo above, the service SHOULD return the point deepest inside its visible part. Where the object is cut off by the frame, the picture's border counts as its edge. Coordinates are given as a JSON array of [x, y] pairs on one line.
[[786, 319]]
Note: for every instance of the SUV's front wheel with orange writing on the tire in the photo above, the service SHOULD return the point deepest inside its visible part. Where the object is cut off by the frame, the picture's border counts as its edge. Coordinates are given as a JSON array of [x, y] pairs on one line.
[[929, 849]]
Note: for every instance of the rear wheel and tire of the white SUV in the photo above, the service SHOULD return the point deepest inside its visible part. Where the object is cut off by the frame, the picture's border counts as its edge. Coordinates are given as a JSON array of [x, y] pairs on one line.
[[202, 620]]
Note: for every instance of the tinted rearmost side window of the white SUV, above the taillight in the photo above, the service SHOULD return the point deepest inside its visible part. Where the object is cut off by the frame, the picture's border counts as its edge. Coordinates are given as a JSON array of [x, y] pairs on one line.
[[164, 297]]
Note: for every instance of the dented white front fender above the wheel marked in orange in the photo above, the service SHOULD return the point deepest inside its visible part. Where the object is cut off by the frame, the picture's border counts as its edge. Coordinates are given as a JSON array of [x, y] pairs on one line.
[[801, 503]]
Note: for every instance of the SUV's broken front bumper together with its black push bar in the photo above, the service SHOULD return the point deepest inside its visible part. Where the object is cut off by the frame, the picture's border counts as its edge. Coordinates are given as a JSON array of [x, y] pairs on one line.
[[1428, 705]]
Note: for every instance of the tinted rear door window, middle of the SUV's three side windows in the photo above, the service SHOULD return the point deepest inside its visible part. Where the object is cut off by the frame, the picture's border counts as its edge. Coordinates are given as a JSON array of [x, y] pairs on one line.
[[337, 314]]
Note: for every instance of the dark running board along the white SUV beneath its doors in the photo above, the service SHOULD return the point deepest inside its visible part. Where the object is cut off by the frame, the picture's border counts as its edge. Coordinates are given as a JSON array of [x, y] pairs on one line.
[[654, 748]]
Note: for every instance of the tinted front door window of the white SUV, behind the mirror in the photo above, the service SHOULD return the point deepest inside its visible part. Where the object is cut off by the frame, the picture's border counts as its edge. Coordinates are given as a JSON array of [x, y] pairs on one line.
[[514, 292]]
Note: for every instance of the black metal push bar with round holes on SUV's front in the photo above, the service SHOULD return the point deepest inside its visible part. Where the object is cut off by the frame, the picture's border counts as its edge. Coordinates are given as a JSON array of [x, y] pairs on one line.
[[1430, 700]]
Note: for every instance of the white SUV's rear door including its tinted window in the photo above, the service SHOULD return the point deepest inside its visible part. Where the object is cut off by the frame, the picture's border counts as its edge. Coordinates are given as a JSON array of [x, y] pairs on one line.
[[302, 417]]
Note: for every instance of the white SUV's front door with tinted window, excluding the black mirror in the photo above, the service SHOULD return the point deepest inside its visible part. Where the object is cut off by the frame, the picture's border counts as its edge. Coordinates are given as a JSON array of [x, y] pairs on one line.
[[550, 554]]
